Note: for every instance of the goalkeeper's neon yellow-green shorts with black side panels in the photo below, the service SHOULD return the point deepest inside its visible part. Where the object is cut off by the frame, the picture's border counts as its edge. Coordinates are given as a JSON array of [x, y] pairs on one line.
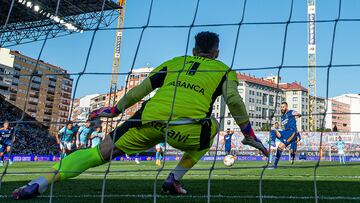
[[195, 139]]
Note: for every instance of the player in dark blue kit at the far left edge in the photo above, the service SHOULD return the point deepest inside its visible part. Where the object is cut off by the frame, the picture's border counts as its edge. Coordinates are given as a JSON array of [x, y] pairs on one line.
[[6, 139]]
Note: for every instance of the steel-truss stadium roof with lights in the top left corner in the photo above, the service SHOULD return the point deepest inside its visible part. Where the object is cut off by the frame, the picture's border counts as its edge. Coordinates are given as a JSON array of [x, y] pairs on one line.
[[31, 20]]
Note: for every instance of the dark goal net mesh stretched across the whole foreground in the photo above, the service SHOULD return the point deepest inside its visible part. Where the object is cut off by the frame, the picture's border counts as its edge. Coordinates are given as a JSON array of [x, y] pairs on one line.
[[239, 25]]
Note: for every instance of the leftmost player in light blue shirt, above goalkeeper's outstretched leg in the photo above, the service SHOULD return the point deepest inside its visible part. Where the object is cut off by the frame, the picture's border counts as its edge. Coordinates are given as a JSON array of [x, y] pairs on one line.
[[65, 138]]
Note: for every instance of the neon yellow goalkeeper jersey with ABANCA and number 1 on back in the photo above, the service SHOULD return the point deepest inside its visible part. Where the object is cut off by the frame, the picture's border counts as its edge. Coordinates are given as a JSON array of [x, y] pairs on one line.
[[198, 86]]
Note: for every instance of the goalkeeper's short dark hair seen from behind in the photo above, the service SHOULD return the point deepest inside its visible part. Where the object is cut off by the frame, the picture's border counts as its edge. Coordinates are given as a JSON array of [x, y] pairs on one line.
[[207, 41]]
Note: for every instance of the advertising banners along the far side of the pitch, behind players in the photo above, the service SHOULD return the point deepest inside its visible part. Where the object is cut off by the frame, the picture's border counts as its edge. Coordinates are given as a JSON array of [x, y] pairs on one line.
[[309, 144]]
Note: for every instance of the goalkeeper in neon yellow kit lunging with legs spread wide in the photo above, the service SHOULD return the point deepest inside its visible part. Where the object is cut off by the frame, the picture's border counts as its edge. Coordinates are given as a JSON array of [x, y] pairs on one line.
[[198, 81]]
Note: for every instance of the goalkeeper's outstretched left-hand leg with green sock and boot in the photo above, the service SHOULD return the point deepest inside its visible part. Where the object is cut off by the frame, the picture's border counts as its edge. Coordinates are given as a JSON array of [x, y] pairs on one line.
[[69, 167]]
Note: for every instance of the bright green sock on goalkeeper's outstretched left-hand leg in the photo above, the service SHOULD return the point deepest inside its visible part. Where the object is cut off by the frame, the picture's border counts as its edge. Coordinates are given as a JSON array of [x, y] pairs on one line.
[[79, 161]]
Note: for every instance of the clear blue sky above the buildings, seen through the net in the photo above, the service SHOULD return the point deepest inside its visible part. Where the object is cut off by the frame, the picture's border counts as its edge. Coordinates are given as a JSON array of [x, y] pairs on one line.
[[258, 45]]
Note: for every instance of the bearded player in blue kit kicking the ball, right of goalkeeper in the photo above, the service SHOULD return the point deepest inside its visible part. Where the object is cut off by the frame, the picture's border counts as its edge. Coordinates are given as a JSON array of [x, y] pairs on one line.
[[288, 135]]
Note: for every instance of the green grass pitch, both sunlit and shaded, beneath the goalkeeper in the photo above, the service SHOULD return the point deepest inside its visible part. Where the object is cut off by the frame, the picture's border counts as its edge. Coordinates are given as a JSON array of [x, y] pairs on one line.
[[335, 183]]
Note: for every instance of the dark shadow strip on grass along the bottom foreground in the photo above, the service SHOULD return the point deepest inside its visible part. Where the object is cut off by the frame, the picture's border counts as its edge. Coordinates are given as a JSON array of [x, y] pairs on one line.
[[141, 190]]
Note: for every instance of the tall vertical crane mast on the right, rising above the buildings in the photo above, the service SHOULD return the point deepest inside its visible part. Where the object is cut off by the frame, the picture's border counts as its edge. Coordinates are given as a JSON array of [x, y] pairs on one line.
[[311, 119]]
